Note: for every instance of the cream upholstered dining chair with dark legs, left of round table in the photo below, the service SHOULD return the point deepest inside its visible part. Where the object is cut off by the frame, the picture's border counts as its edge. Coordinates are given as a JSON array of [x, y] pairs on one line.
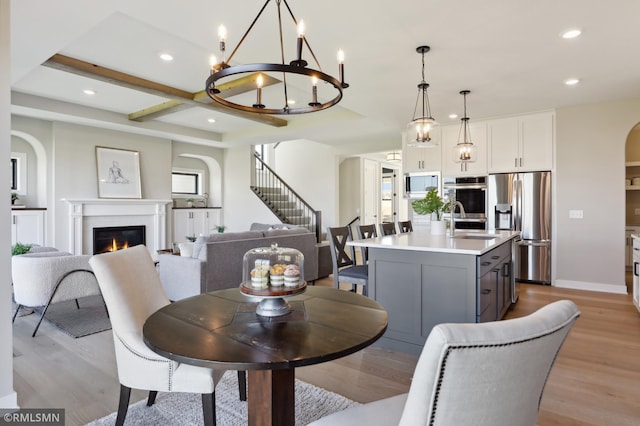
[[132, 291]]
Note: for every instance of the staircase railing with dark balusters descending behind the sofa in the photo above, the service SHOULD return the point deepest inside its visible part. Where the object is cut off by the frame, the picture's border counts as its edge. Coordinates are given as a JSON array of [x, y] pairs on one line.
[[282, 200]]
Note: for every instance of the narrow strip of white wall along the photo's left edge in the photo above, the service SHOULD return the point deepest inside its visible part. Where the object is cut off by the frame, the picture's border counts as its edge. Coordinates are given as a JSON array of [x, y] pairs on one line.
[[8, 398]]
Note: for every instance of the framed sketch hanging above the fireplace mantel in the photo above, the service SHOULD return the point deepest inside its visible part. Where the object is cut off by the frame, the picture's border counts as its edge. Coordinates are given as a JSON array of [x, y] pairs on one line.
[[118, 173]]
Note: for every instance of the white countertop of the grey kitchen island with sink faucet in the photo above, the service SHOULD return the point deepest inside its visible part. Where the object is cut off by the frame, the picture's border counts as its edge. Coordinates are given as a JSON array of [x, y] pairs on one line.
[[422, 240]]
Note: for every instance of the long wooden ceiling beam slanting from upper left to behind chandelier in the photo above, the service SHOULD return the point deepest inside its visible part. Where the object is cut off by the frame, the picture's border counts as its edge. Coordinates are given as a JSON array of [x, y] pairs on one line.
[[96, 72]]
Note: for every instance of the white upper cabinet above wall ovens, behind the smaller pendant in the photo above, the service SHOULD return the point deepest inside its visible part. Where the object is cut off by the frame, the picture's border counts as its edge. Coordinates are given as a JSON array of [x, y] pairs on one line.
[[450, 135]]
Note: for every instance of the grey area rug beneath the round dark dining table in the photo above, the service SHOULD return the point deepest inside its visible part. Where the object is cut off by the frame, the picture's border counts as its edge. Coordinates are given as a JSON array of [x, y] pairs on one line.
[[183, 409]]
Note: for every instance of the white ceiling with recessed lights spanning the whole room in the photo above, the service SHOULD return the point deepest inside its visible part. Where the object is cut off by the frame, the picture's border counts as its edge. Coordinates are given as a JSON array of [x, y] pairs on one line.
[[509, 53]]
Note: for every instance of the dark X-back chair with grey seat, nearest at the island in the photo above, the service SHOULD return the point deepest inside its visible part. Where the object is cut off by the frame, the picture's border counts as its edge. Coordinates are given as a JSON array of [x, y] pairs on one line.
[[345, 269]]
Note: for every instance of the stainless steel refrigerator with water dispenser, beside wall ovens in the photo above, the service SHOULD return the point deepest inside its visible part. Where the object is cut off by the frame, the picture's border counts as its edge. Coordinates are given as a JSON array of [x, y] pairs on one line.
[[522, 202]]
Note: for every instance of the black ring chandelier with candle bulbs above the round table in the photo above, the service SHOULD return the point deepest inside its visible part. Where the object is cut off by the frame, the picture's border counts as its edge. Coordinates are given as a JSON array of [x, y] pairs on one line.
[[260, 72]]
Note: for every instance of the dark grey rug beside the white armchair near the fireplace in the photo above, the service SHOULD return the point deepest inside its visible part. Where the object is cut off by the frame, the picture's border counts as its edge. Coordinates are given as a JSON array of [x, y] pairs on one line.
[[89, 319]]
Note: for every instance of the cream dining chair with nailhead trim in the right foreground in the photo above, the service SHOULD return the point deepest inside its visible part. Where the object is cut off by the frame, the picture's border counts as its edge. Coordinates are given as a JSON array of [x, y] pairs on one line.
[[475, 374]]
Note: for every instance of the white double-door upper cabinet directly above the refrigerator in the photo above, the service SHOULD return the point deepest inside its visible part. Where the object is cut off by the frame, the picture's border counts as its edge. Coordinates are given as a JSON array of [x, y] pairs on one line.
[[523, 143]]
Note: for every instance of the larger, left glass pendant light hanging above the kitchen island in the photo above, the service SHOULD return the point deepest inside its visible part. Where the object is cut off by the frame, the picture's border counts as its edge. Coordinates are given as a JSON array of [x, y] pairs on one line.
[[421, 130]]
